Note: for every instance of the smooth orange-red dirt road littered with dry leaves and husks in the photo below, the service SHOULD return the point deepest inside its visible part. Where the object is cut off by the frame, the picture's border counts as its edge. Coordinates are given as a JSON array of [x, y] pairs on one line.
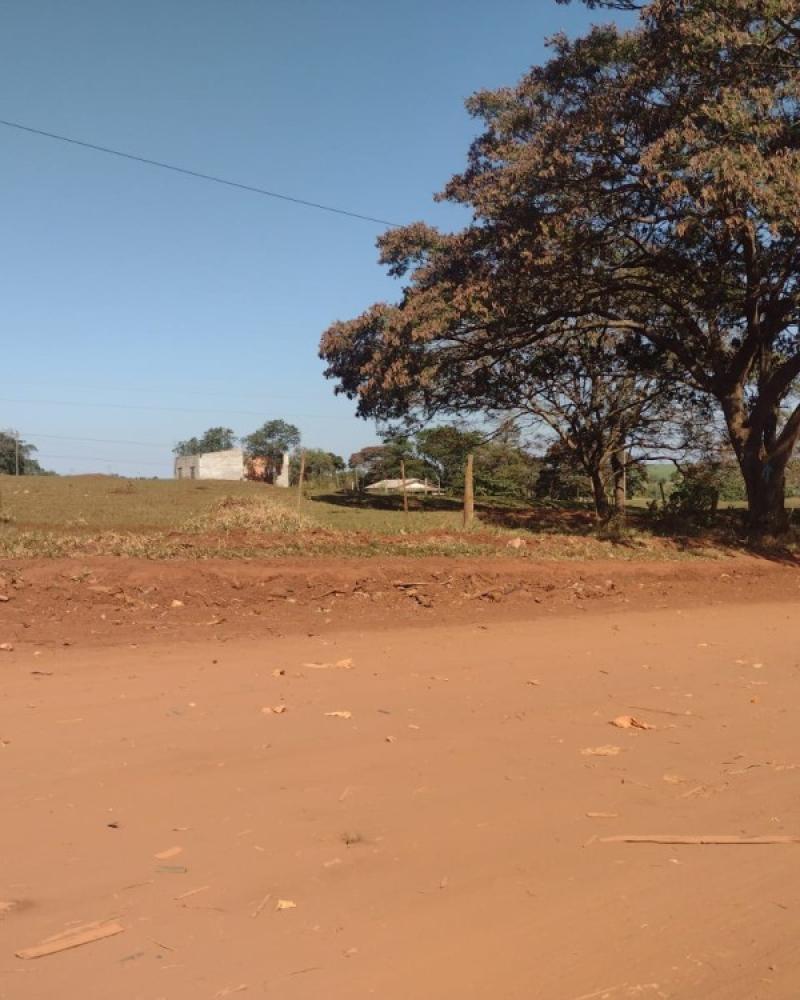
[[438, 843]]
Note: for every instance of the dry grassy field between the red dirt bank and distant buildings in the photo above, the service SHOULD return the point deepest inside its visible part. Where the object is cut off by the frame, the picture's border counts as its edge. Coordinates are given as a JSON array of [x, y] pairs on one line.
[[69, 515]]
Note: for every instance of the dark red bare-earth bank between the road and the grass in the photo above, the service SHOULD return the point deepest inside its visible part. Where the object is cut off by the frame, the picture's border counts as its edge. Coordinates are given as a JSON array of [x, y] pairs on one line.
[[105, 599]]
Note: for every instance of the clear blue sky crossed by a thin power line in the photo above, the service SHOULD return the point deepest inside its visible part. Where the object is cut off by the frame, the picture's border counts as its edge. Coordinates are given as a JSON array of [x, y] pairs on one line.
[[140, 306]]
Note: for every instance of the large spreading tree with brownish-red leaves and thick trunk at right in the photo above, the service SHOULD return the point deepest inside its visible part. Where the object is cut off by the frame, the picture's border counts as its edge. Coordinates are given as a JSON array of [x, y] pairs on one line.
[[644, 183]]
